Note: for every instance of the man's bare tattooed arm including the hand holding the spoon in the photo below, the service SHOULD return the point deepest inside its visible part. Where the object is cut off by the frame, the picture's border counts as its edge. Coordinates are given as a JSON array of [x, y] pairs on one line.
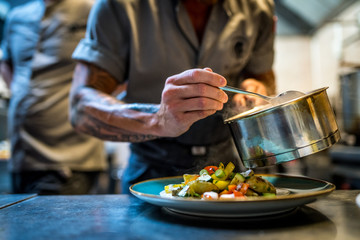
[[187, 97]]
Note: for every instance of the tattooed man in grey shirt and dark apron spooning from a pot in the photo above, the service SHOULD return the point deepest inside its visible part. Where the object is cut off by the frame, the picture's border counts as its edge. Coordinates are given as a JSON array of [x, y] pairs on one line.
[[172, 57]]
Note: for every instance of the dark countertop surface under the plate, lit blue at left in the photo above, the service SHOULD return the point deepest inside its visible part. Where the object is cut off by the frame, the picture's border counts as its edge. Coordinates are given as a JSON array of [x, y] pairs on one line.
[[125, 217]]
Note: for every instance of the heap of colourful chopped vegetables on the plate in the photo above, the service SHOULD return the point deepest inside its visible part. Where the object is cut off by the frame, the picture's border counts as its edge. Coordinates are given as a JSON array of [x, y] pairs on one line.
[[220, 182]]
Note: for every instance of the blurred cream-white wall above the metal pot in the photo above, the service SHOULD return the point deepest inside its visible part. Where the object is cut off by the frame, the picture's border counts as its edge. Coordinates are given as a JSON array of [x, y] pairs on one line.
[[307, 63]]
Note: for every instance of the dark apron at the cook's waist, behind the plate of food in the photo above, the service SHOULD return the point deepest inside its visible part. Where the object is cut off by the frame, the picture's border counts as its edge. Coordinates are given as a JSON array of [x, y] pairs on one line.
[[175, 156]]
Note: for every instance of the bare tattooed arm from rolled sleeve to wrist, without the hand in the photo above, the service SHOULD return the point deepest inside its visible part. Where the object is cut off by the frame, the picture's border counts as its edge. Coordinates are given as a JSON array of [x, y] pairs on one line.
[[95, 111]]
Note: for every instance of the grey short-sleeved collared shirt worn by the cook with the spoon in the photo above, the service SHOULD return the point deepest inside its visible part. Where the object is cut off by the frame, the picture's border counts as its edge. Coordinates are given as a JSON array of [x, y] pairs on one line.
[[143, 42]]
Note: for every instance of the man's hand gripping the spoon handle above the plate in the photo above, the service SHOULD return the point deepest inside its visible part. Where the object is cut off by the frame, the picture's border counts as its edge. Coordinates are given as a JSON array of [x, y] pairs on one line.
[[188, 97]]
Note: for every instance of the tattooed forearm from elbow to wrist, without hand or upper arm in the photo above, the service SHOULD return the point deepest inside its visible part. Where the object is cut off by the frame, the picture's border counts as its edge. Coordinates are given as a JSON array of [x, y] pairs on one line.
[[103, 116]]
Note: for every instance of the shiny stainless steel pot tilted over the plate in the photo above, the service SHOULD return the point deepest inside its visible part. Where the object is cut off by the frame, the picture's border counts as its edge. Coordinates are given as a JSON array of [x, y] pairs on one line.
[[285, 132]]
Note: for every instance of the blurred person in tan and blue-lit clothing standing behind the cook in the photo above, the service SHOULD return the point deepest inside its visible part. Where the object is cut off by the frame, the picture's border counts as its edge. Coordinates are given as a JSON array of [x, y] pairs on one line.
[[47, 155]]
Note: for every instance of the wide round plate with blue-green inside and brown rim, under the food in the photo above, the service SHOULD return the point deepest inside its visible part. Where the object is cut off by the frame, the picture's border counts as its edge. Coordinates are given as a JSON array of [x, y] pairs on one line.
[[294, 191]]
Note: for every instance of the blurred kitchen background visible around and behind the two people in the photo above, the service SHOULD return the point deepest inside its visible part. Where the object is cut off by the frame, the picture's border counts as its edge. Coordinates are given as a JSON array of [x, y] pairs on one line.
[[317, 45]]
